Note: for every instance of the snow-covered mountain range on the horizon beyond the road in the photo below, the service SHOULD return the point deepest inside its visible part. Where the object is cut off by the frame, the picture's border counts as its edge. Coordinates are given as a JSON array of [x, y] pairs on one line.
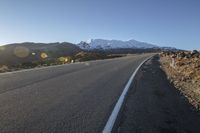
[[114, 44]]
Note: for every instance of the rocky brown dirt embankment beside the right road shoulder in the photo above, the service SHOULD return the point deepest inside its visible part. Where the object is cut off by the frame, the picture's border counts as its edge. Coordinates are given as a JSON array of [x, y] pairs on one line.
[[183, 70]]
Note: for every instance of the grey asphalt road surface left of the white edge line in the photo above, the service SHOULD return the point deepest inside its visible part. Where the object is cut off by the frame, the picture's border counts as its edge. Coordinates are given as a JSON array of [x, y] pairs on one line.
[[68, 98]]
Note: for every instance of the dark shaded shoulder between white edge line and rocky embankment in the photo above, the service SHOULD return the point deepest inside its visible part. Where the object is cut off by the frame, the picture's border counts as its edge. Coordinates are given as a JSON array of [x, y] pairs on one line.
[[153, 105]]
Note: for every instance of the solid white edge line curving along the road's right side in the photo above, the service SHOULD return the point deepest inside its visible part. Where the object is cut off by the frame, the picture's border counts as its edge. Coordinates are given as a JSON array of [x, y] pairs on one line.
[[111, 121]]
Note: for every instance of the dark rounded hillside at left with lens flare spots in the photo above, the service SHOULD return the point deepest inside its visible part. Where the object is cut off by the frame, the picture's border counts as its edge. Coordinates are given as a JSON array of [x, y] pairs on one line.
[[13, 54]]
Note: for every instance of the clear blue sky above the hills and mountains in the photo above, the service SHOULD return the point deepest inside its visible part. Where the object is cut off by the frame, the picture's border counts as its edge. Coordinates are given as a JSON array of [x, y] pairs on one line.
[[163, 22]]
